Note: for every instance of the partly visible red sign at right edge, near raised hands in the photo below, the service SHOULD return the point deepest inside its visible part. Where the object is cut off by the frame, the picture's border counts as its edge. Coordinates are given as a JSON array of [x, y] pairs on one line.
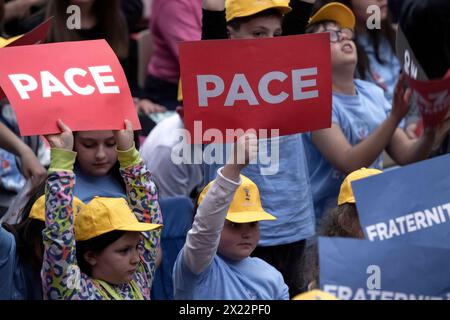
[[433, 99]]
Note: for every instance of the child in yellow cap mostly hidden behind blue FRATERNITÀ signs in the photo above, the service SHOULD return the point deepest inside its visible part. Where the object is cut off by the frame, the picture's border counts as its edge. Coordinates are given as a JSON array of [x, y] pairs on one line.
[[342, 221]]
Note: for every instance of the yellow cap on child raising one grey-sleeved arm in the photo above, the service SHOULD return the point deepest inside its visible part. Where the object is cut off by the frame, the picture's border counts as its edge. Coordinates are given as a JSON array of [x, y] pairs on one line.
[[246, 205]]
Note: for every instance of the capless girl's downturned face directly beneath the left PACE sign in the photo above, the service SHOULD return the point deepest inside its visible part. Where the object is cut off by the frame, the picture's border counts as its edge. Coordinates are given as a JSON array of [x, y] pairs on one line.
[[96, 153]]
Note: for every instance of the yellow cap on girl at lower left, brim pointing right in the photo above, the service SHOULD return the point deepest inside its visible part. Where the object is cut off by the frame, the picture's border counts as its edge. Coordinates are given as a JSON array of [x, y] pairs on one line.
[[102, 215]]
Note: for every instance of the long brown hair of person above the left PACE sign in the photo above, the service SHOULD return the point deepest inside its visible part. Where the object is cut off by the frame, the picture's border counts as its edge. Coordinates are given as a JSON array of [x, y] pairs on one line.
[[110, 22]]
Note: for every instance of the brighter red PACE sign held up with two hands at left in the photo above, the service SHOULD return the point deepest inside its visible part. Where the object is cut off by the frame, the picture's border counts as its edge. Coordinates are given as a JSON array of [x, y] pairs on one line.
[[82, 83]]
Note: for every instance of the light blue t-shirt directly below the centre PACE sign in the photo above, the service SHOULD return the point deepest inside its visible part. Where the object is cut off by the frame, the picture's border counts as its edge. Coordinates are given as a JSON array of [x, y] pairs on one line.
[[284, 188]]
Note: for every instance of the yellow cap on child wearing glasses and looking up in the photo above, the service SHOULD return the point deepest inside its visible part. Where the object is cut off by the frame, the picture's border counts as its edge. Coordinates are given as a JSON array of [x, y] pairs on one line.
[[335, 11]]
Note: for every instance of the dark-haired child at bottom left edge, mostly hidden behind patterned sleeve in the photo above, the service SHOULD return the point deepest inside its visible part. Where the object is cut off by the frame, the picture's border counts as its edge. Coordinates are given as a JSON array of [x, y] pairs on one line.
[[21, 251]]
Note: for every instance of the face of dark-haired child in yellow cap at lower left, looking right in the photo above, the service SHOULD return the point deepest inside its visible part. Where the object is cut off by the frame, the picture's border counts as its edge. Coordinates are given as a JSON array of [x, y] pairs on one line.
[[117, 263]]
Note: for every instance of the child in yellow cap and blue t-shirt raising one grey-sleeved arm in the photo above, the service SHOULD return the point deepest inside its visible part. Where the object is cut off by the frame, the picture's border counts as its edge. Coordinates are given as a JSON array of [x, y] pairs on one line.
[[215, 262]]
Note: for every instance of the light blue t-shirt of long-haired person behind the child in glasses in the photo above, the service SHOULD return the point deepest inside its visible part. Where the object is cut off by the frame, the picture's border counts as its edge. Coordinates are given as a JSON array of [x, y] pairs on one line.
[[385, 74]]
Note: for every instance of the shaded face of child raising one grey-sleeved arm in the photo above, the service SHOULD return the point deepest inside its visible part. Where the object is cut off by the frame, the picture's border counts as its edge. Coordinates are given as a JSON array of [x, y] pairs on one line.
[[238, 240]]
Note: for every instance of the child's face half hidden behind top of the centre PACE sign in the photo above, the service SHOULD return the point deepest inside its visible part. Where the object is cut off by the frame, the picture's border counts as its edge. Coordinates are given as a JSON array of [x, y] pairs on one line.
[[260, 27]]
